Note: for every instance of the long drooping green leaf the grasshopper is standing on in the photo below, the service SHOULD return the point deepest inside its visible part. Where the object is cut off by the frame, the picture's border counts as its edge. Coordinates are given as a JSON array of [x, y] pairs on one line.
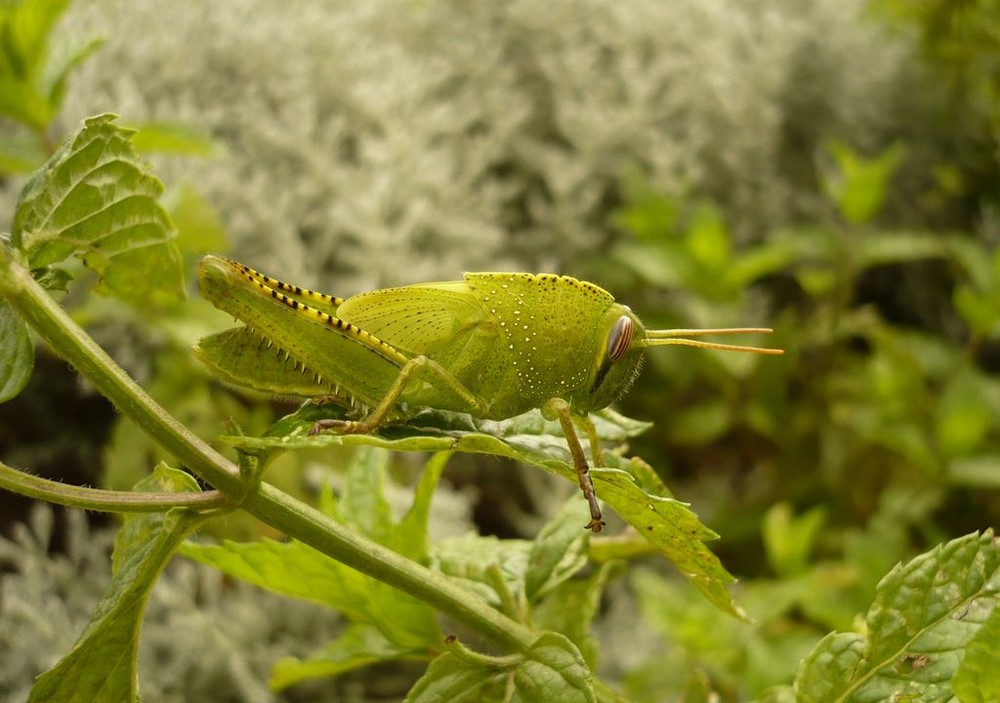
[[668, 524]]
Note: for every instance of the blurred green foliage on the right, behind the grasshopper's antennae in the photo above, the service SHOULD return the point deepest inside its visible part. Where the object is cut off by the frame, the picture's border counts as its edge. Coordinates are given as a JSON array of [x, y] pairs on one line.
[[875, 440]]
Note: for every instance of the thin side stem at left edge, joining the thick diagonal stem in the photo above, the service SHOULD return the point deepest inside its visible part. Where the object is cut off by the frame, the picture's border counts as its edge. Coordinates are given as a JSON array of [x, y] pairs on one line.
[[101, 500]]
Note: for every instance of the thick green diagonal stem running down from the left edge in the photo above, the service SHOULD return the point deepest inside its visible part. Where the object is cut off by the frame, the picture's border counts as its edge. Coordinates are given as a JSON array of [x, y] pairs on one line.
[[267, 503]]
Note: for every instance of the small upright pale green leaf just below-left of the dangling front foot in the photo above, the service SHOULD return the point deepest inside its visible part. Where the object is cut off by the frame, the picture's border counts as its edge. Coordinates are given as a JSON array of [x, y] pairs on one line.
[[558, 552]]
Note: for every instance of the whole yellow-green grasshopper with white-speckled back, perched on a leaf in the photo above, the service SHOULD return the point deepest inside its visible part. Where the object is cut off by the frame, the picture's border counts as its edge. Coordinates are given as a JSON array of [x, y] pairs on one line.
[[493, 345]]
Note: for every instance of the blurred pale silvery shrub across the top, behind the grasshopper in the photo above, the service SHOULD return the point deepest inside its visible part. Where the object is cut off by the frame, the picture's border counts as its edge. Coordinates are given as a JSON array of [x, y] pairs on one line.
[[399, 141]]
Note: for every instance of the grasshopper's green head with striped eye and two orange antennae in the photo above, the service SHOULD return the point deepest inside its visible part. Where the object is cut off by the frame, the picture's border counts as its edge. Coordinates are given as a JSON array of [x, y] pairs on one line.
[[624, 342]]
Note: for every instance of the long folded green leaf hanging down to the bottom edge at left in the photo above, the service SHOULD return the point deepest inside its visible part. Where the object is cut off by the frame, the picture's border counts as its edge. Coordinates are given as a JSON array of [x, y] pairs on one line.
[[101, 667]]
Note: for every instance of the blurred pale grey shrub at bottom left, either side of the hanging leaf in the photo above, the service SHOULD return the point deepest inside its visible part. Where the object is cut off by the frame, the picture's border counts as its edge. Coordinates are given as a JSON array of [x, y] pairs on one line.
[[204, 637]]
